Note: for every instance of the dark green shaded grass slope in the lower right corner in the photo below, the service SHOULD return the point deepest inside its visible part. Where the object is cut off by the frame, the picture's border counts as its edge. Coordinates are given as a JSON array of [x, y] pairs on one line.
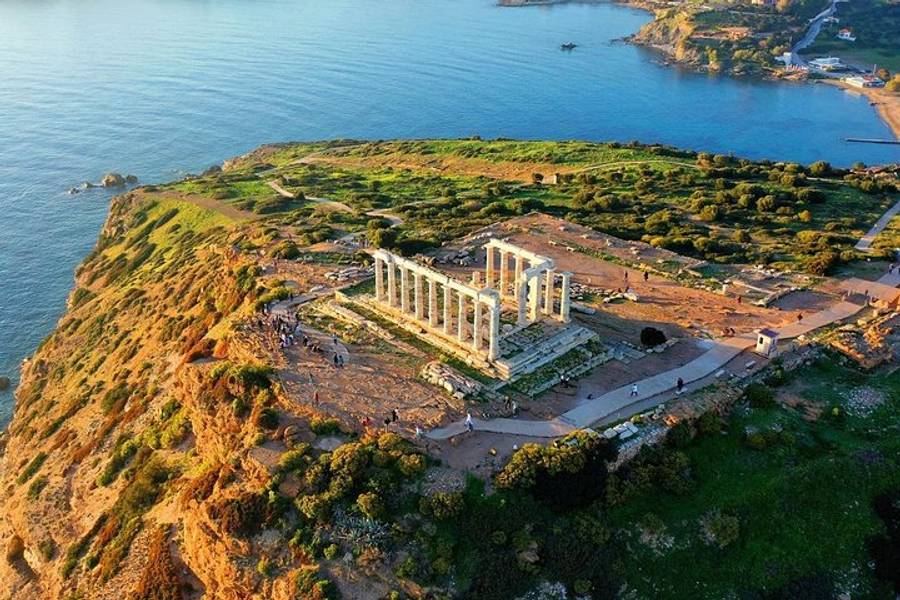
[[804, 507]]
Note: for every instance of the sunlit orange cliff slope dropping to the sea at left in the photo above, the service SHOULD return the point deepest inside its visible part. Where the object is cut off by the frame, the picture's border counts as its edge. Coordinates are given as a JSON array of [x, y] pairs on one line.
[[114, 439]]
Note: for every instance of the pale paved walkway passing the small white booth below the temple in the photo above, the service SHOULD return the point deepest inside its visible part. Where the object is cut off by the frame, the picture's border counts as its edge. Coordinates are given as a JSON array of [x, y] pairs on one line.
[[591, 411]]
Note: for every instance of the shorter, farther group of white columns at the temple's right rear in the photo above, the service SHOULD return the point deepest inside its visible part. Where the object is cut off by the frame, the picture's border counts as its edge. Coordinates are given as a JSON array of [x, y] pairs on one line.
[[533, 277]]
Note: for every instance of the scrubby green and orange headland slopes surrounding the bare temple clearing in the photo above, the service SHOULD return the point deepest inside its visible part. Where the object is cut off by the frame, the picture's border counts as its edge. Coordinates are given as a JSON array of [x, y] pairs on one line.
[[153, 452]]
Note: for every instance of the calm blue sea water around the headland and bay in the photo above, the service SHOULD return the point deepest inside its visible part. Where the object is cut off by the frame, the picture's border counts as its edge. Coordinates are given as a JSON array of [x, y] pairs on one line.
[[160, 87]]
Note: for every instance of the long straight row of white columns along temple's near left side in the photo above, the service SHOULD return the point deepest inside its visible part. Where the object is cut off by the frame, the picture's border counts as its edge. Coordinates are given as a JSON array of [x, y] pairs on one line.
[[411, 301]]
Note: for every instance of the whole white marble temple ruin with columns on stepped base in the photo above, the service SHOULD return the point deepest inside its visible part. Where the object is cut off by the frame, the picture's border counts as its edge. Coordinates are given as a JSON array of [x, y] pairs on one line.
[[464, 318]]
